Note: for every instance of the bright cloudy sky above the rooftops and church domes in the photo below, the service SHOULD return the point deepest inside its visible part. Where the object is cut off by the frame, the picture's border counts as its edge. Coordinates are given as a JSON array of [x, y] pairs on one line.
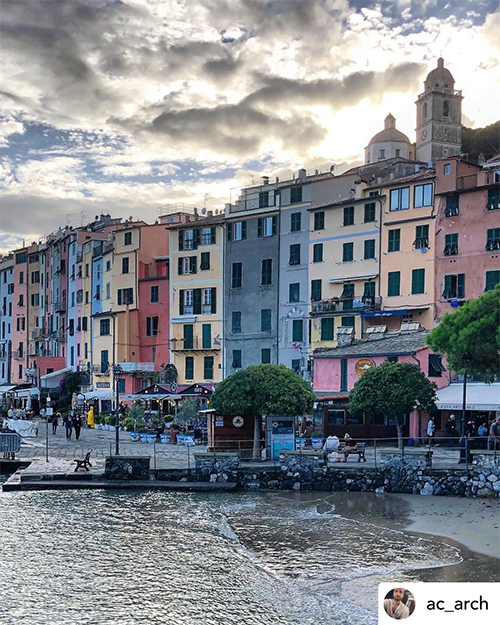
[[129, 107]]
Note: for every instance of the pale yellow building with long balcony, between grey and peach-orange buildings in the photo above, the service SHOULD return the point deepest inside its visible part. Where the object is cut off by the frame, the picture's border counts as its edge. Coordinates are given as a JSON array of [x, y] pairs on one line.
[[344, 253]]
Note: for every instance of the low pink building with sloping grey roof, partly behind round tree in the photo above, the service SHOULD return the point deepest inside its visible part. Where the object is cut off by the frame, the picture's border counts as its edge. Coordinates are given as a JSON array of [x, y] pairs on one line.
[[337, 370]]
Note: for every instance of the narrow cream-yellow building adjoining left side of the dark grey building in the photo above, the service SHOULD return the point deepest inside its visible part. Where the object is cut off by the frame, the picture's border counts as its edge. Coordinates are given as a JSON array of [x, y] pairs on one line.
[[196, 291]]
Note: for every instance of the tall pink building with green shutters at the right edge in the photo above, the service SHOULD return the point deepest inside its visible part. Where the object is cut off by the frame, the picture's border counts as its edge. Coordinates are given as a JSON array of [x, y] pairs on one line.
[[467, 233]]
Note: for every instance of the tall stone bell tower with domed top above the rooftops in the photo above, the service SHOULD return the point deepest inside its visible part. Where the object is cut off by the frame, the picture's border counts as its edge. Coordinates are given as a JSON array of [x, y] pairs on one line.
[[439, 116]]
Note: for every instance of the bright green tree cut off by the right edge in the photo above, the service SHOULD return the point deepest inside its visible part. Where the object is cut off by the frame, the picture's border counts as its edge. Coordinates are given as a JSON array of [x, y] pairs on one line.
[[469, 338]]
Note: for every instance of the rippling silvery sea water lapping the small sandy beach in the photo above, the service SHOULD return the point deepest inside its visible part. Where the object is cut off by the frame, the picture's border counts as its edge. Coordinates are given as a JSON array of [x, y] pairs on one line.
[[159, 557]]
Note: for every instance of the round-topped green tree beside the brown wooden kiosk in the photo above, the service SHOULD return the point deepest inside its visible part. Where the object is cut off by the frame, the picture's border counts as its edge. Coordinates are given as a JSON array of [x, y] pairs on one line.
[[261, 390]]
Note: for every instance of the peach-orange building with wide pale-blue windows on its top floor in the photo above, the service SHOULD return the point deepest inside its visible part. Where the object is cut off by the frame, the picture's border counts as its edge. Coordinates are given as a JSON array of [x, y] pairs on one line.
[[408, 252]]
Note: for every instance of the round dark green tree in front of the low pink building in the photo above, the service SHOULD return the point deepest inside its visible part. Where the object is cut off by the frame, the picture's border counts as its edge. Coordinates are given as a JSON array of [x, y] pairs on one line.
[[392, 390]]
